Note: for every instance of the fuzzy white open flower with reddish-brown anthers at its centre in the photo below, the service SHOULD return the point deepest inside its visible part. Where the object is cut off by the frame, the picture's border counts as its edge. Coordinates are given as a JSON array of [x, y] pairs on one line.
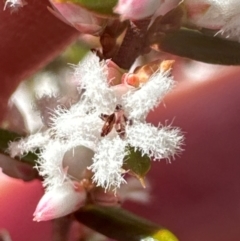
[[108, 122]]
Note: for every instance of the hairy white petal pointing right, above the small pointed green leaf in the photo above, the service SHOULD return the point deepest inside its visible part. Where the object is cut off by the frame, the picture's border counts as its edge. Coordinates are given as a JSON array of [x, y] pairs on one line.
[[156, 142]]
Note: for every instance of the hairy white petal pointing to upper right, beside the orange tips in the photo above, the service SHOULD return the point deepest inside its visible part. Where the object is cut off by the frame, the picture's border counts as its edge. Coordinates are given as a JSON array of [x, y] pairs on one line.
[[139, 103]]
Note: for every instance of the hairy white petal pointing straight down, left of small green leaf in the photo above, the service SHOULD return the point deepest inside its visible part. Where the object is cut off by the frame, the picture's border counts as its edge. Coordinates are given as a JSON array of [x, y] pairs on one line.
[[107, 163]]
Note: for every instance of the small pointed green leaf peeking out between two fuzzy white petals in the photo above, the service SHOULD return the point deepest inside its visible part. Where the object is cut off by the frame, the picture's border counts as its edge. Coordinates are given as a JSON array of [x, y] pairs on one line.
[[138, 164]]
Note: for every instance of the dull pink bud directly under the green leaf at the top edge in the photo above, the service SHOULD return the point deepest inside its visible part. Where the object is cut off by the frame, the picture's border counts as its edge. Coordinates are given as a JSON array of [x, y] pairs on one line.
[[78, 17]]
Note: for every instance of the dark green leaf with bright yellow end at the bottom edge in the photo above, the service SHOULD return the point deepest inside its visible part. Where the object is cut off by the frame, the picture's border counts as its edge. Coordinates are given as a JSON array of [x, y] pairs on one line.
[[122, 225]]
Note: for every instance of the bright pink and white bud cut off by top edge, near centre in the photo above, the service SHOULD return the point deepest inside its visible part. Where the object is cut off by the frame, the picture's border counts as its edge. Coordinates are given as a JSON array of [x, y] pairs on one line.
[[137, 9]]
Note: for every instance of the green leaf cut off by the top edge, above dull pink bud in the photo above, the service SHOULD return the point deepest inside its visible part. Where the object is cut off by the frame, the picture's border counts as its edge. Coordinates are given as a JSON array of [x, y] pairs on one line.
[[102, 7]]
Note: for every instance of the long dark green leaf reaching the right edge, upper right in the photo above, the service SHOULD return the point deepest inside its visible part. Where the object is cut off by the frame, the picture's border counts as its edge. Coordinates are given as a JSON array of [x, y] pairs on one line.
[[197, 46]]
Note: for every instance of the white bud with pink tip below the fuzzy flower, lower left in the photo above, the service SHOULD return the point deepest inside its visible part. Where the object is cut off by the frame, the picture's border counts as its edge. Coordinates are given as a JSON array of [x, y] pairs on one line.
[[60, 201]]
